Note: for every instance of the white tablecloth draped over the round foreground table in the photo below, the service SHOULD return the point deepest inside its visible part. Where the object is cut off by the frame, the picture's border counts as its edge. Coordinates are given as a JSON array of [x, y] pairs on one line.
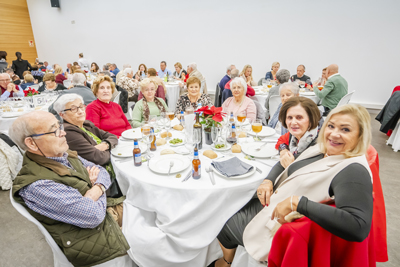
[[170, 223]]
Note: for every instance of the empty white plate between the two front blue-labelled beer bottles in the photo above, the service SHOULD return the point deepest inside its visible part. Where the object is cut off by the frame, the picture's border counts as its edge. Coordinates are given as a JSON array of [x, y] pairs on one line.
[[160, 164]]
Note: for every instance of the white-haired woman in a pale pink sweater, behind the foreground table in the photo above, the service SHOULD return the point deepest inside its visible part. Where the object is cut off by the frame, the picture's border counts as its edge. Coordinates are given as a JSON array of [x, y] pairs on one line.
[[239, 103]]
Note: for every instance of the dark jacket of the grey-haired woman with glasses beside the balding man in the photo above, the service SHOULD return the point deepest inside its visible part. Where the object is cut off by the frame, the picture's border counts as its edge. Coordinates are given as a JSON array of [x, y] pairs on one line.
[[82, 143]]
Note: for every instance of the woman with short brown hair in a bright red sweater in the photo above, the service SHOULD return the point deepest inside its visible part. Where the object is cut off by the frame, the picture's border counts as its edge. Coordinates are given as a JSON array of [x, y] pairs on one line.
[[106, 115]]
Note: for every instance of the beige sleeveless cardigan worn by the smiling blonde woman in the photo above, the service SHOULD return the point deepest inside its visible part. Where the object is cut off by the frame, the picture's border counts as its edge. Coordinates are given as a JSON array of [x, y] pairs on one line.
[[312, 181]]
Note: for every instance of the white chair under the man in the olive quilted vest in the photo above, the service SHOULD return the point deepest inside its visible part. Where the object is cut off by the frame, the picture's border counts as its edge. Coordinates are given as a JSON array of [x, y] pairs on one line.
[[59, 258]]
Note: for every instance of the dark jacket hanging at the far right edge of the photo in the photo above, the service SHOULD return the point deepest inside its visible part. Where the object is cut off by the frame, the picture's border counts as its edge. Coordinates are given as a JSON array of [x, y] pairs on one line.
[[390, 114]]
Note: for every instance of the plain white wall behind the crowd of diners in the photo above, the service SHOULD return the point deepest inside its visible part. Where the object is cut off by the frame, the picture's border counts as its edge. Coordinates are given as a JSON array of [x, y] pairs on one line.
[[362, 37]]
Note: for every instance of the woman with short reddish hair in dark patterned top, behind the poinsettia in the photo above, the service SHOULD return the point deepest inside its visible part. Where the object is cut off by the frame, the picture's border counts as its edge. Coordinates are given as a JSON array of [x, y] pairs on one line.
[[193, 97]]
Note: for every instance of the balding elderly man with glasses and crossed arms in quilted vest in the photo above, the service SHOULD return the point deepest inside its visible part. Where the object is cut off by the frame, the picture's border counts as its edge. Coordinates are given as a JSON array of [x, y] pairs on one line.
[[66, 193]]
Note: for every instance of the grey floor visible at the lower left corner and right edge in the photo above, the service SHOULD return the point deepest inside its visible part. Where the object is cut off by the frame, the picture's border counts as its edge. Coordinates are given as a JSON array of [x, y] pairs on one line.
[[21, 243]]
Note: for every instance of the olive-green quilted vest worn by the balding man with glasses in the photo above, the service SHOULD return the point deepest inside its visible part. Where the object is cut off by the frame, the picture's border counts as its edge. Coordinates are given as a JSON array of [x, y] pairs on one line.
[[82, 246]]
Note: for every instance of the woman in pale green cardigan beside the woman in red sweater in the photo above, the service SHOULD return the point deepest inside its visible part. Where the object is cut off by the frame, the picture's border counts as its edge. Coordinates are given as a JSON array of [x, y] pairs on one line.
[[149, 104]]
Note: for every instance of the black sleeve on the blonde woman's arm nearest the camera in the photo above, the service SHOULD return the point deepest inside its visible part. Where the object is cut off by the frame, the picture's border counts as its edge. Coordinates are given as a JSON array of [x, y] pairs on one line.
[[351, 219]]
